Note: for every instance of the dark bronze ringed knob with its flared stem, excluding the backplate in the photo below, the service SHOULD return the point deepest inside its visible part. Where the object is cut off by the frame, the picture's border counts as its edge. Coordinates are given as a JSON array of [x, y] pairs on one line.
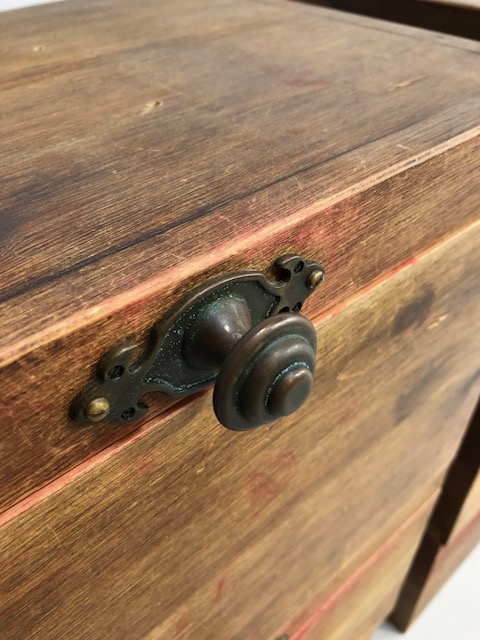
[[265, 372]]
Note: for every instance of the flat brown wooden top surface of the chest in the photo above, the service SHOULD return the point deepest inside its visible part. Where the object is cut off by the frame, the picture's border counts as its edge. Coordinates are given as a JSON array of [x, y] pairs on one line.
[[135, 142]]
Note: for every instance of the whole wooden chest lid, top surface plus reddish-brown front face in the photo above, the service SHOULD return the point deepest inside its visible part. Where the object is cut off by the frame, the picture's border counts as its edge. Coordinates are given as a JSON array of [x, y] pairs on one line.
[[113, 205]]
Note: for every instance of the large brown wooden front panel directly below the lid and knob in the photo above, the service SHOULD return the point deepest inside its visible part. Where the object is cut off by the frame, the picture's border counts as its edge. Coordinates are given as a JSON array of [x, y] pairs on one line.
[[189, 530]]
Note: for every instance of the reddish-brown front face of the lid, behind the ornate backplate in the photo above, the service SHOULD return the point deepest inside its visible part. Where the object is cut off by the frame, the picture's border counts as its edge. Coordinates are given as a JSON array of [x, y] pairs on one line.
[[37, 439]]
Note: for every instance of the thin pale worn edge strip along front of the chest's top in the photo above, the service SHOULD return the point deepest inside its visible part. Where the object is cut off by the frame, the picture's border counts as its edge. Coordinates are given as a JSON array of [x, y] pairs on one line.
[[84, 318]]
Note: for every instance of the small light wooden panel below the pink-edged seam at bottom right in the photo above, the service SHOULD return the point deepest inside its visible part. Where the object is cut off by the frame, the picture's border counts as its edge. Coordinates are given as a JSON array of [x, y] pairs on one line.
[[362, 603]]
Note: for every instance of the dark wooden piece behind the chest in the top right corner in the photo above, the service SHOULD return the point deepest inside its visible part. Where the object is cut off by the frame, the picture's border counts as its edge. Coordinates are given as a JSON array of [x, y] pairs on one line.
[[460, 18]]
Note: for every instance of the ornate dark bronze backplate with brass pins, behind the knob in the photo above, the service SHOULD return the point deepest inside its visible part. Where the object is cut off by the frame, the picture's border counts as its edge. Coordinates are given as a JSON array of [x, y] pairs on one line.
[[117, 391]]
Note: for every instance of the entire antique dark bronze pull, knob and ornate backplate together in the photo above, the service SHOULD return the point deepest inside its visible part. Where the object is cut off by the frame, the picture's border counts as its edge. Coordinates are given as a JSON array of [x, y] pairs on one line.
[[240, 332]]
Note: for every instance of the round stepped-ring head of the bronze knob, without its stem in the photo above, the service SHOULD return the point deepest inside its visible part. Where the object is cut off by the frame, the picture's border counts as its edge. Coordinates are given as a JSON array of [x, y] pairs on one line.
[[268, 374]]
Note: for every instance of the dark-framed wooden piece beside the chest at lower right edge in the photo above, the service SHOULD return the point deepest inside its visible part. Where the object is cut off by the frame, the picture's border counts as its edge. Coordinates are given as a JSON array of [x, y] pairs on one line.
[[453, 530]]
